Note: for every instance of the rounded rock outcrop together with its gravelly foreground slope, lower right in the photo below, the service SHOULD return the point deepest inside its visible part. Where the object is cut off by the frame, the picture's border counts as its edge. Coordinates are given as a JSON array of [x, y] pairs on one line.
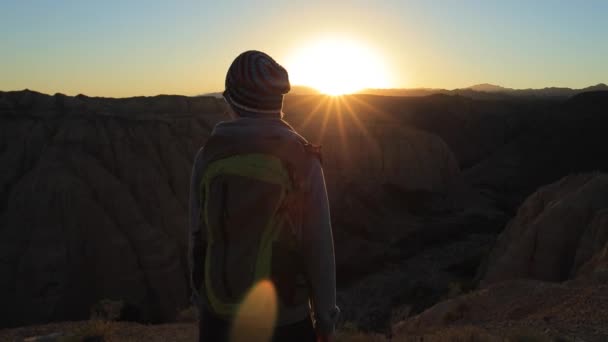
[[547, 272]]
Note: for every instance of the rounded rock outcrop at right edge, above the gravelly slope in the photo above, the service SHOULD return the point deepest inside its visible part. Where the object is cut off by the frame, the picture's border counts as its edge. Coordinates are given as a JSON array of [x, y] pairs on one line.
[[559, 232]]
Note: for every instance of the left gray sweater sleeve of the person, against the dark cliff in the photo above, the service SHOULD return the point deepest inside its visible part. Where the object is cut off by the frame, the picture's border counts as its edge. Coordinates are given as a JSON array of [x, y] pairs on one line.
[[196, 229]]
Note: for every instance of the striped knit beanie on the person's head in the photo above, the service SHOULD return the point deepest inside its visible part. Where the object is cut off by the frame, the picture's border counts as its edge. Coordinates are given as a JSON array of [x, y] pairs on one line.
[[255, 85]]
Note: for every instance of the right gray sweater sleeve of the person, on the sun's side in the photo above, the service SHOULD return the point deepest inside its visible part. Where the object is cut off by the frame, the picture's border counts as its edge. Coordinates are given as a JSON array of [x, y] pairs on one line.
[[318, 250]]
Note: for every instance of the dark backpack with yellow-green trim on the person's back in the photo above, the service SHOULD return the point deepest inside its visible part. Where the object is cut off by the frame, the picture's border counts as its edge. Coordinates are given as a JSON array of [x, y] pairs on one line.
[[253, 195]]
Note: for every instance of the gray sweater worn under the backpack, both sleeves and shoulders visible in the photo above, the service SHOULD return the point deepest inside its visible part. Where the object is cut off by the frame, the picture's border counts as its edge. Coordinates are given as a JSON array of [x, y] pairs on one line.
[[317, 240]]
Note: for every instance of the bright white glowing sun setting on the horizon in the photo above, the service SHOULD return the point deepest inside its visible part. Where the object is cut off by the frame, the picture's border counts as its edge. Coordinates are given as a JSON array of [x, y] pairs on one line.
[[337, 66]]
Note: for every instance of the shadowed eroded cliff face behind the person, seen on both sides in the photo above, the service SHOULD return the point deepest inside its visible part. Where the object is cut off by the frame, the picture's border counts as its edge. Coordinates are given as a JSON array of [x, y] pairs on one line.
[[94, 196]]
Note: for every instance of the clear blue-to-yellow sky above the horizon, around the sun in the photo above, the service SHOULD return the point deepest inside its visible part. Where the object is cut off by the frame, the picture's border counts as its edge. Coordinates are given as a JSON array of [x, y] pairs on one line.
[[130, 48]]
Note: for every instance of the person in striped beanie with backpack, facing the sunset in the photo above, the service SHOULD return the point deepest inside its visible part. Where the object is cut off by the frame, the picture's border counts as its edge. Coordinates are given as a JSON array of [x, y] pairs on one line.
[[259, 212]]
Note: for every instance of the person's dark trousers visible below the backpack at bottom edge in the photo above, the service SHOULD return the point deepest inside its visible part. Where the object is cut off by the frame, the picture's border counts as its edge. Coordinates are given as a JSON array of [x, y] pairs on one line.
[[214, 329]]
